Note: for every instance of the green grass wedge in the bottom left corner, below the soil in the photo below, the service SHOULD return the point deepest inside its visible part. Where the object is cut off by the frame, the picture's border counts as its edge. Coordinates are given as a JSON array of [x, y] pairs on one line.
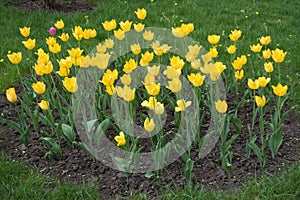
[[19, 182]]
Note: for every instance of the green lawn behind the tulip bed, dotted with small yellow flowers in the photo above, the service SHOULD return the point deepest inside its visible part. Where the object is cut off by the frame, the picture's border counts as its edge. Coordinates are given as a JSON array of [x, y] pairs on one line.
[[276, 18]]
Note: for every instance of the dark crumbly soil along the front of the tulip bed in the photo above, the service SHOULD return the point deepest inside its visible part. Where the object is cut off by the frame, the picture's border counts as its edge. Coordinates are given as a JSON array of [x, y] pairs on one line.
[[77, 166]]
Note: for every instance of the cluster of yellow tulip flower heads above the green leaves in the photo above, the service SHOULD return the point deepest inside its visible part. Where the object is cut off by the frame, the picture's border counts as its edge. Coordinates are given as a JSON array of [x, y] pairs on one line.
[[195, 66]]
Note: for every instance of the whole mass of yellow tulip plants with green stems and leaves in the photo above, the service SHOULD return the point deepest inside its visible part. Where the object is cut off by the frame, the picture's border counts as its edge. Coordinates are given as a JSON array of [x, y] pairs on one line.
[[137, 76]]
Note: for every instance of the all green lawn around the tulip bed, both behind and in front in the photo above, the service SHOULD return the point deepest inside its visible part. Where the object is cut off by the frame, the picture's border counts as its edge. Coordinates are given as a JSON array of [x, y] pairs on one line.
[[279, 19]]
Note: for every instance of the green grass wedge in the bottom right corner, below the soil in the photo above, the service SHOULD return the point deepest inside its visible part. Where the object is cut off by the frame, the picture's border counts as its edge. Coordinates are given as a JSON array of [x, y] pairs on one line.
[[286, 186]]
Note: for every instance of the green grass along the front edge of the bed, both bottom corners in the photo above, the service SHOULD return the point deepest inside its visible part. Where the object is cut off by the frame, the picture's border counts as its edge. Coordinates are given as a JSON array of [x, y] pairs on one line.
[[17, 181]]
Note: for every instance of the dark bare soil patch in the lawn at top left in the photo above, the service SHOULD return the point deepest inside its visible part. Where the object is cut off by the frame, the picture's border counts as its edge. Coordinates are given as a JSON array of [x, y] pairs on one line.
[[67, 6]]
